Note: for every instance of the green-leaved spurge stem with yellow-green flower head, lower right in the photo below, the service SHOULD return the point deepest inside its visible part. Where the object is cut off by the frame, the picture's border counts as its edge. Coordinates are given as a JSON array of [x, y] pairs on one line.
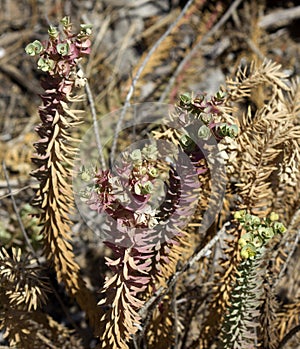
[[241, 320]]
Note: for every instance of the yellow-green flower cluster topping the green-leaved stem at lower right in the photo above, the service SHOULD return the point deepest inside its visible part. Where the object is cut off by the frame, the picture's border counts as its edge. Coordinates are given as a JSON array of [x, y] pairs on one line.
[[258, 232]]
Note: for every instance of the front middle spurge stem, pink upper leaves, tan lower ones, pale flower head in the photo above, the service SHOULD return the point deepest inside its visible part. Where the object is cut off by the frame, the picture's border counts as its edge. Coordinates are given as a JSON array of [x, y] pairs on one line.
[[131, 232]]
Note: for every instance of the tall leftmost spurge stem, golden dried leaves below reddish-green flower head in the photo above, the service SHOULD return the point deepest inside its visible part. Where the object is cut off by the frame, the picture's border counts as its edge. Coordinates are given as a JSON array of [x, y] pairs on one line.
[[58, 58]]
